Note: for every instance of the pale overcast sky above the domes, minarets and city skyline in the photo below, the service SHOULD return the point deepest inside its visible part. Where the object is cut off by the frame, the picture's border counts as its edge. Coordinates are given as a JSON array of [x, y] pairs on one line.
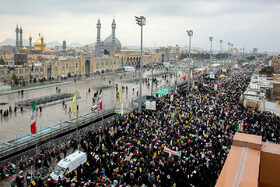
[[245, 23]]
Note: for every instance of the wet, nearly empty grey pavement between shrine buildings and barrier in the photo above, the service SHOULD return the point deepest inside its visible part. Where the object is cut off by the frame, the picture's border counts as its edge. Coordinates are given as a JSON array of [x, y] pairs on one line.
[[17, 124]]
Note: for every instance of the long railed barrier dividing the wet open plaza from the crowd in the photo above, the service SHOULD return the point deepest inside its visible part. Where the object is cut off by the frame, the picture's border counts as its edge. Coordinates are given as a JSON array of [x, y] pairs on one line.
[[11, 150]]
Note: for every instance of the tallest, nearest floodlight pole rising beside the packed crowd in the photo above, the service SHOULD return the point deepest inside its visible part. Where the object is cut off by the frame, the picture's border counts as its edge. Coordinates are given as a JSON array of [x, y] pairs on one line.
[[141, 21]]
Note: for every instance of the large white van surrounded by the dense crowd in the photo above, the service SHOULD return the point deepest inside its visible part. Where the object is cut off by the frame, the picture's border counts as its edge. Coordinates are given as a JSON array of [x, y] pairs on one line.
[[68, 164]]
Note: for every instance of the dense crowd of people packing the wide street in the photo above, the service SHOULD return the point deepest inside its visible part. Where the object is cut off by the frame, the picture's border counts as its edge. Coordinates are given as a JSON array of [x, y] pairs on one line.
[[199, 124]]
